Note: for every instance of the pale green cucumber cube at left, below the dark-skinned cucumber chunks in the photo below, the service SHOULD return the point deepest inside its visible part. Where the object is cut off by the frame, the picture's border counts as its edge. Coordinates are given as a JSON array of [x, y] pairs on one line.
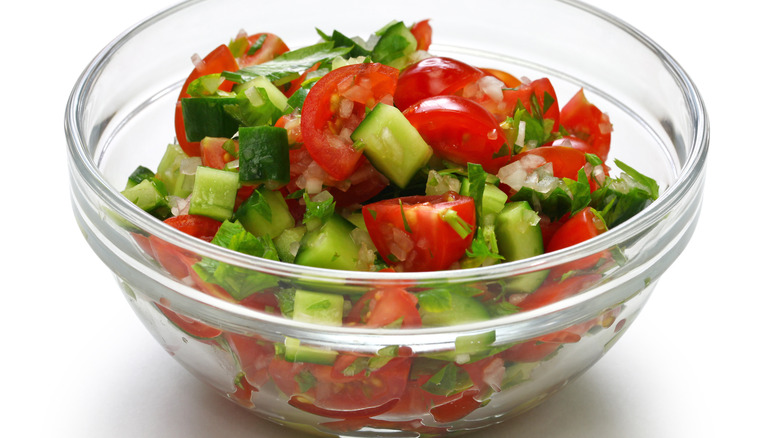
[[214, 193]]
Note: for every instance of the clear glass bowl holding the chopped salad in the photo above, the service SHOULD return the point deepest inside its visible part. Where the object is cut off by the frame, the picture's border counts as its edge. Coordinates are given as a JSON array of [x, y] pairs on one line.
[[427, 381]]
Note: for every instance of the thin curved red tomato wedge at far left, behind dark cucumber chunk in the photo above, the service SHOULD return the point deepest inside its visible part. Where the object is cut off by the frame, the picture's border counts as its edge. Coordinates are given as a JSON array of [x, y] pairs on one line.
[[219, 60]]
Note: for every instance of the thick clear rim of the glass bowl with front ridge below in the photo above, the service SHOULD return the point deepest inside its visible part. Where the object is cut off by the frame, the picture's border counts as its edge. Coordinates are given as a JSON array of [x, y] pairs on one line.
[[690, 172]]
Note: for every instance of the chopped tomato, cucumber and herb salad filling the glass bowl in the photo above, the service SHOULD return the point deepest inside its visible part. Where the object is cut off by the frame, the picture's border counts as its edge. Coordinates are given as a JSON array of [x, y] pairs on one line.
[[378, 155]]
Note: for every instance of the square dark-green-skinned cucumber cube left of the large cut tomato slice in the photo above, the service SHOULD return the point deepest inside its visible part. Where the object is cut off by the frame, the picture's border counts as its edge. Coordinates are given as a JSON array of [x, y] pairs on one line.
[[264, 155]]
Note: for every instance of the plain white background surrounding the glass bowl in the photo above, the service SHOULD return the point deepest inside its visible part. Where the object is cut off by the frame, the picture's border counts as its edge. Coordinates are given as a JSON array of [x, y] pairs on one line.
[[699, 362]]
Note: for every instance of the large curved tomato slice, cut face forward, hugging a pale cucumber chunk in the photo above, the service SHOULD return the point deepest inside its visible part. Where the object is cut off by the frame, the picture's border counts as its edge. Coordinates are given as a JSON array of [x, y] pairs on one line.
[[325, 129]]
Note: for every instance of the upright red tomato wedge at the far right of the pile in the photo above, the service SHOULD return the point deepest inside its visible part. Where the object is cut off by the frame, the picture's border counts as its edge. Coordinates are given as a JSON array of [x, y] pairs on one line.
[[586, 121]]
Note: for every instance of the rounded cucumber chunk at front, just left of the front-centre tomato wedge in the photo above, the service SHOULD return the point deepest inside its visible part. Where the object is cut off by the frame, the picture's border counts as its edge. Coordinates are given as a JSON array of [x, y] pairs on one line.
[[330, 246]]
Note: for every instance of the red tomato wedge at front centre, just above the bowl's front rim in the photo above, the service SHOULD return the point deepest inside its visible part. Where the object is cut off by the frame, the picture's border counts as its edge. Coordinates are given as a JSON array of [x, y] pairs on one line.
[[410, 234]]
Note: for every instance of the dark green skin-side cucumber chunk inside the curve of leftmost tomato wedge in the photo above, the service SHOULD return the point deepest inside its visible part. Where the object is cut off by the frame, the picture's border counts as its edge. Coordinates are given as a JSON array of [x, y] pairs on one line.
[[206, 117]]
